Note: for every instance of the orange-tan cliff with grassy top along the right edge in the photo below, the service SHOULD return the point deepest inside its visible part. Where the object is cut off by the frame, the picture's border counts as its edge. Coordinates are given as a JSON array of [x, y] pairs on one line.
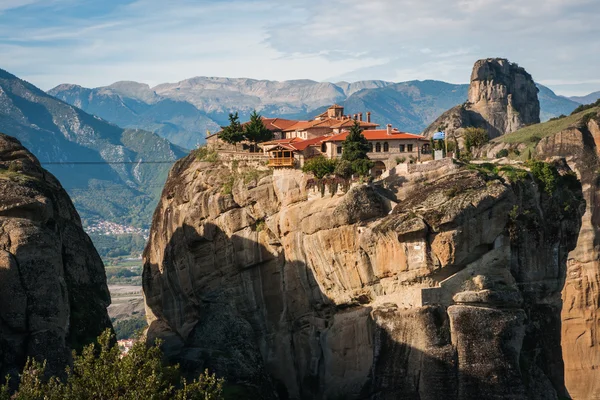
[[577, 139]]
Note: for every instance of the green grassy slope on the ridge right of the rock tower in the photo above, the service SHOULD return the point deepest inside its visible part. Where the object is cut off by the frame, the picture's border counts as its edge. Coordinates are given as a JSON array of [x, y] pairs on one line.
[[534, 133]]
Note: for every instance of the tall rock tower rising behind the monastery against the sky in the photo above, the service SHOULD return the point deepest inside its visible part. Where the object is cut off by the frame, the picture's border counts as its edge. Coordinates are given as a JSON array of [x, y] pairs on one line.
[[502, 98]]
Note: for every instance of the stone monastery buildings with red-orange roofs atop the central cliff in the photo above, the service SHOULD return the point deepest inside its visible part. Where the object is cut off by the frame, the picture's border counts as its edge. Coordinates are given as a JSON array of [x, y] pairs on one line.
[[292, 143]]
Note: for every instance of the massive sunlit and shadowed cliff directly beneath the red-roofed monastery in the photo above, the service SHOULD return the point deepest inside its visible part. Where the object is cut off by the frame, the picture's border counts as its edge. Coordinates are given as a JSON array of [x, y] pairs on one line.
[[291, 295]]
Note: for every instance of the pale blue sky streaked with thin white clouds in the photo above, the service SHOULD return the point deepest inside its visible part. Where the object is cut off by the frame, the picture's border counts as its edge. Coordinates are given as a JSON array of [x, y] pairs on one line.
[[95, 43]]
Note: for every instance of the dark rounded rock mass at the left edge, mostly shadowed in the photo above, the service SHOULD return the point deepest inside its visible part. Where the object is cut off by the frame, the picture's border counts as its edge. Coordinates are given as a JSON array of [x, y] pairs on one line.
[[53, 293]]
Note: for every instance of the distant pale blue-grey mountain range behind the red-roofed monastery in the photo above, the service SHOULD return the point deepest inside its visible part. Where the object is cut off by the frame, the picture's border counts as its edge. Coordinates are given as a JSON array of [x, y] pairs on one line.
[[182, 112]]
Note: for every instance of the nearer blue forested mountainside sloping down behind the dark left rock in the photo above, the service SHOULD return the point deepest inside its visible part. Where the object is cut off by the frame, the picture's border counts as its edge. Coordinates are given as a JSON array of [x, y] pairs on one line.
[[56, 132]]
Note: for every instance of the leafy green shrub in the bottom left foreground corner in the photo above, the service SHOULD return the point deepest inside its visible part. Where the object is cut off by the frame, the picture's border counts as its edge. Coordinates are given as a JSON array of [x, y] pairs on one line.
[[101, 373]]
